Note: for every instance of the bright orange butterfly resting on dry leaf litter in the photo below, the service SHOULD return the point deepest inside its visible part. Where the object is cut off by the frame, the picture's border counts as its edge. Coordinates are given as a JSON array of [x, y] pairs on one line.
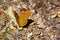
[[22, 18]]
